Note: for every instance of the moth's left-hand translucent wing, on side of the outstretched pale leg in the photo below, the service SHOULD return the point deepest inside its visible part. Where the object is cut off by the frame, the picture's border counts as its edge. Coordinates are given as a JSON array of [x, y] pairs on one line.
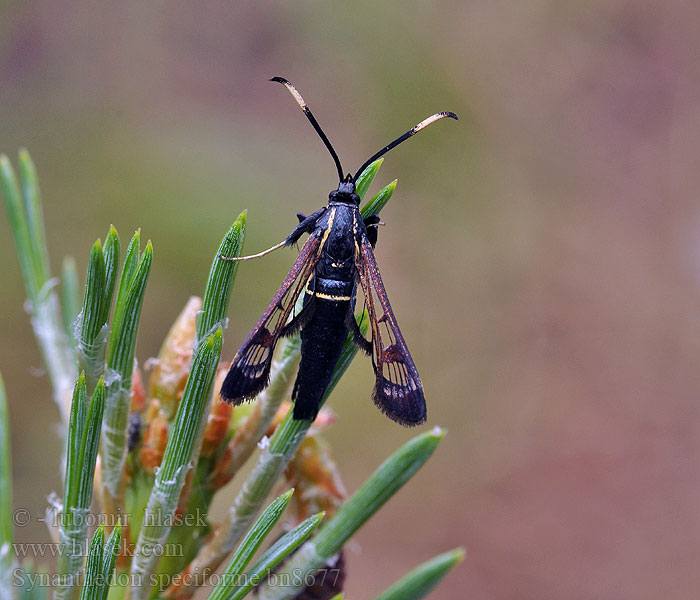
[[250, 369]]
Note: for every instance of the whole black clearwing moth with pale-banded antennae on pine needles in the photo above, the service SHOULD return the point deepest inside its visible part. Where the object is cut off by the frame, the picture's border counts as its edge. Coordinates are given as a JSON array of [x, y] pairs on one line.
[[337, 254]]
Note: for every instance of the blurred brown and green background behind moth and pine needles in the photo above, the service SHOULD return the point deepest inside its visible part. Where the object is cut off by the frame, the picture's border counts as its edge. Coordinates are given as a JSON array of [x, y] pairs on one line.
[[542, 255]]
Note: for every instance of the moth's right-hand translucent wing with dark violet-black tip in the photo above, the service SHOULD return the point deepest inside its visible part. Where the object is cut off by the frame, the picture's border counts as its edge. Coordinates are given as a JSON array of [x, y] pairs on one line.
[[398, 391]]
